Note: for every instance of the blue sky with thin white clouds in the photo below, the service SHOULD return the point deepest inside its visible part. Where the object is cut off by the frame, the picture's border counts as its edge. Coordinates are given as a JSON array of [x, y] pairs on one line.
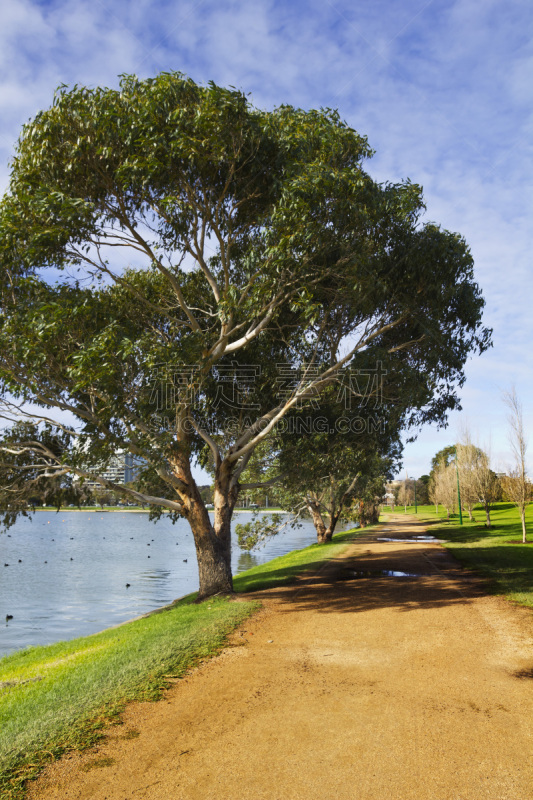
[[442, 90]]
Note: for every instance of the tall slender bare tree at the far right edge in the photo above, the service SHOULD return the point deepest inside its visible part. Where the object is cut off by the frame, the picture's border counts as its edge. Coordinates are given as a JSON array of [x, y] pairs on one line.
[[516, 484]]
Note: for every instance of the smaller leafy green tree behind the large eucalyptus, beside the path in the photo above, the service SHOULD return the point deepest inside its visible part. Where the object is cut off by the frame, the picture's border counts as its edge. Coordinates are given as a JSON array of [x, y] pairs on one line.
[[329, 466]]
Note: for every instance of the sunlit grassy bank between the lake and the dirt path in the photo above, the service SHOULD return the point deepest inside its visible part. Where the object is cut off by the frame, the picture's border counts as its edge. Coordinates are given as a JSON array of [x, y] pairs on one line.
[[64, 695]]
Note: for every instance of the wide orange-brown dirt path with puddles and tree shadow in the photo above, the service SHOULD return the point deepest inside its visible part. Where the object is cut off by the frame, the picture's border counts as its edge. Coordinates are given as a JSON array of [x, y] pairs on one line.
[[344, 688]]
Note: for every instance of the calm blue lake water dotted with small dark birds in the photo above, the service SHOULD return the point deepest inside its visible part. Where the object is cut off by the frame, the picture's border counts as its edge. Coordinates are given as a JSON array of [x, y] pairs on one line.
[[68, 572]]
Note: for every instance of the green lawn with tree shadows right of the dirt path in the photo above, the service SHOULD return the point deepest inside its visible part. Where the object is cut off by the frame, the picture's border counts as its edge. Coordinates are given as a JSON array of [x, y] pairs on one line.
[[498, 553]]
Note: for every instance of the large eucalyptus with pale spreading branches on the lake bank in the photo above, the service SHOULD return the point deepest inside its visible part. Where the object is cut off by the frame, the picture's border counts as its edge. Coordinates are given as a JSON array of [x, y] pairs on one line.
[[165, 247]]
